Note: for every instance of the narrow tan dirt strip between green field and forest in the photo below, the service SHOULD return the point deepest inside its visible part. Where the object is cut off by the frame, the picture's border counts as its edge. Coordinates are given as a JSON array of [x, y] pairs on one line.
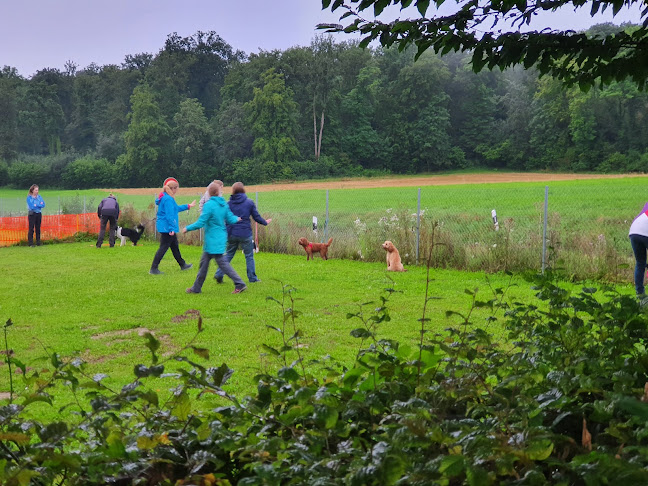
[[422, 181]]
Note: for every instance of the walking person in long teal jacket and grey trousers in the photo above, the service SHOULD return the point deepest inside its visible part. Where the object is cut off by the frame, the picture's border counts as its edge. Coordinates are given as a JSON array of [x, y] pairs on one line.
[[216, 214]]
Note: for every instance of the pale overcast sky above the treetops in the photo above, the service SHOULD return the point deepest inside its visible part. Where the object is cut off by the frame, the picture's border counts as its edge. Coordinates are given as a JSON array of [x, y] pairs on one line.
[[37, 34]]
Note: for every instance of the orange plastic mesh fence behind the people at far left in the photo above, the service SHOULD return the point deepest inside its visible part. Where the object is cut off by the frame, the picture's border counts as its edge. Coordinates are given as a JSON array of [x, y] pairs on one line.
[[14, 230]]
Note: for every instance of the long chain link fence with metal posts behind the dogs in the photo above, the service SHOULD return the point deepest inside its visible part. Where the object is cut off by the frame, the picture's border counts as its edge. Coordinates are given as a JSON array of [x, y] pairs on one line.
[[489, 227]]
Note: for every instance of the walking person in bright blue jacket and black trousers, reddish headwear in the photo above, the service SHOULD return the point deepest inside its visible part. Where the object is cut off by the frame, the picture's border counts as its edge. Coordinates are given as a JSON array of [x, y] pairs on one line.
[[167, 225]]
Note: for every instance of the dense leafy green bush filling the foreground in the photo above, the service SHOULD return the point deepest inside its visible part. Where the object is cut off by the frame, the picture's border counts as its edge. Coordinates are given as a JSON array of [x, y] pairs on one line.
[[561, 403]]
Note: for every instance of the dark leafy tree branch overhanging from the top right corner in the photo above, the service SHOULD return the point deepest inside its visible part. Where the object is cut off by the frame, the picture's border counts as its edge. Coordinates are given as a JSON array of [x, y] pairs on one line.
[[573, 57]]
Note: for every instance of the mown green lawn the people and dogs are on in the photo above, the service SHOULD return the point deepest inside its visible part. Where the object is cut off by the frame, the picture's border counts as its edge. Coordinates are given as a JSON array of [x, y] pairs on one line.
[[74, 299]]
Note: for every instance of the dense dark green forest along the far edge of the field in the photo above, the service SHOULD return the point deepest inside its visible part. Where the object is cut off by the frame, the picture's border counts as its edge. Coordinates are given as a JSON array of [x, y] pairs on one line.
[[200, 109]]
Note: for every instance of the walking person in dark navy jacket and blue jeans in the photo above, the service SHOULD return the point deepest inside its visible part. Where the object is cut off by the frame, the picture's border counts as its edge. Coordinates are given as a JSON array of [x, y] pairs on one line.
[[240, 234]]
